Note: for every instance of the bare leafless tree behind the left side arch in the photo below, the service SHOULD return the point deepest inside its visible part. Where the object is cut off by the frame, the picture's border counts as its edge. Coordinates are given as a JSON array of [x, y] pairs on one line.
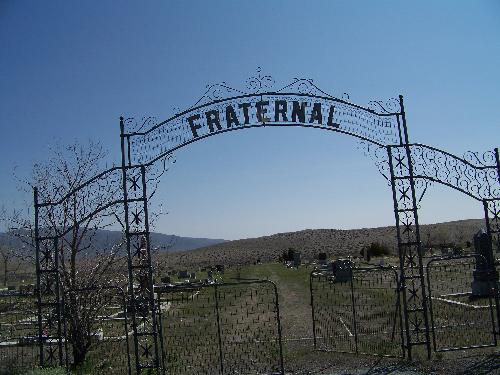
[[77, 200]]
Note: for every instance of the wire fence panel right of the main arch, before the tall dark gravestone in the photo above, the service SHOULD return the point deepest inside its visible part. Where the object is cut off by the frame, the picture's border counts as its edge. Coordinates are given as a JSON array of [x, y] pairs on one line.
[[458, 319]]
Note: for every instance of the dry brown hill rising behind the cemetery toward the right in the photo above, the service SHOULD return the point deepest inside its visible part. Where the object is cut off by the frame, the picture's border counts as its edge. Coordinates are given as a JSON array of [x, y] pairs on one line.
[[334, 242]]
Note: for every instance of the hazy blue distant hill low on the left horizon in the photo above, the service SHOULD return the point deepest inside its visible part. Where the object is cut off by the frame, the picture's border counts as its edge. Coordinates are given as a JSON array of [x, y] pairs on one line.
[[104, 239]]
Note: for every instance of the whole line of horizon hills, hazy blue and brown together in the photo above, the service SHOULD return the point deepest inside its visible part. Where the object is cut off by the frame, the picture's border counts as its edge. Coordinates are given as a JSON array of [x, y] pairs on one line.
[[189, 252]]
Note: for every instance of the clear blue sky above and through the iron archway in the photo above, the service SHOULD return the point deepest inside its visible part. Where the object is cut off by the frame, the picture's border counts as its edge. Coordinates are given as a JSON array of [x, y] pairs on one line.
[[69, 69]]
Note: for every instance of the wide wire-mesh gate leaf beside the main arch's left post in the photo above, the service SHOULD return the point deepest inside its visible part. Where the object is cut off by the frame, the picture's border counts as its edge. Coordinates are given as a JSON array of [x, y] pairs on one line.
[[231, 328]]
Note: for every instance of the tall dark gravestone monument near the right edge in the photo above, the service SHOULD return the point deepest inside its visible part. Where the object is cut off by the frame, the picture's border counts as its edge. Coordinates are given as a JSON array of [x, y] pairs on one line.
[[485, 275]]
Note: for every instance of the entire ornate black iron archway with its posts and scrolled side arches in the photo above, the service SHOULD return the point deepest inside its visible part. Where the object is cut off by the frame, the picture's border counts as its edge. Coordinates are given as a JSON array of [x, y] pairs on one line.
[[382, 131]]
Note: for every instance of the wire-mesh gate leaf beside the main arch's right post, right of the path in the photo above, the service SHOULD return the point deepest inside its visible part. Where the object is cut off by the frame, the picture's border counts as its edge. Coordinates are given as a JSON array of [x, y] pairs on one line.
[[360, 314]]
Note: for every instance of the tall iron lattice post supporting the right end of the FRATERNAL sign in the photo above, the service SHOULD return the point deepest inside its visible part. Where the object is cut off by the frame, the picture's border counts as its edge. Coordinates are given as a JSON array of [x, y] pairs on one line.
[[409, 244]]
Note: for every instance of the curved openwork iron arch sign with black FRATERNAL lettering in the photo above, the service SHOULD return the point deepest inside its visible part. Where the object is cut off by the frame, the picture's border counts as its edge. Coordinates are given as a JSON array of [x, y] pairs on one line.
[[301, 103]]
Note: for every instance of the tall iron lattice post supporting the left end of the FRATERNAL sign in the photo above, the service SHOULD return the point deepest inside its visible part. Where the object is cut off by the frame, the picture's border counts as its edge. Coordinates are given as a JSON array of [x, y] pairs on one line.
[[142, 303]]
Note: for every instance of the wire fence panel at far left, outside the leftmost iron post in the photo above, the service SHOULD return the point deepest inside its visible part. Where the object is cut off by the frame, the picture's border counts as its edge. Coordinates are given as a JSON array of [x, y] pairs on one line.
[[19, 349]]
